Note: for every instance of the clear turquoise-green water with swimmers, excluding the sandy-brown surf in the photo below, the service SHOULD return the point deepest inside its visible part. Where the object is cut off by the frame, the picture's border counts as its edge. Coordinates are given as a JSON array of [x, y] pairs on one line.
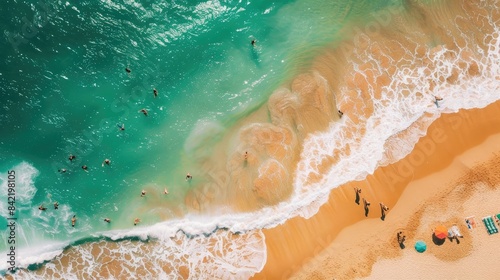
[[65, 91]]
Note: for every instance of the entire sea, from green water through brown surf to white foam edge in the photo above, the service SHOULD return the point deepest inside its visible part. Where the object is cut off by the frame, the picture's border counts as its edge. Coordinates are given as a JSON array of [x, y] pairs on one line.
[[65, 91]]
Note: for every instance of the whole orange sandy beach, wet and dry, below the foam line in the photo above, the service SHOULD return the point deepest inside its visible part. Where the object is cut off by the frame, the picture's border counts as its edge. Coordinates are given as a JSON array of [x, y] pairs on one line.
[[452, 173]]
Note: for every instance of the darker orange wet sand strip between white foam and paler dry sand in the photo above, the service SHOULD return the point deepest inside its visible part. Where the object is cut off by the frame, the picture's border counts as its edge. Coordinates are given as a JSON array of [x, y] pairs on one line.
[[294, 247]]
